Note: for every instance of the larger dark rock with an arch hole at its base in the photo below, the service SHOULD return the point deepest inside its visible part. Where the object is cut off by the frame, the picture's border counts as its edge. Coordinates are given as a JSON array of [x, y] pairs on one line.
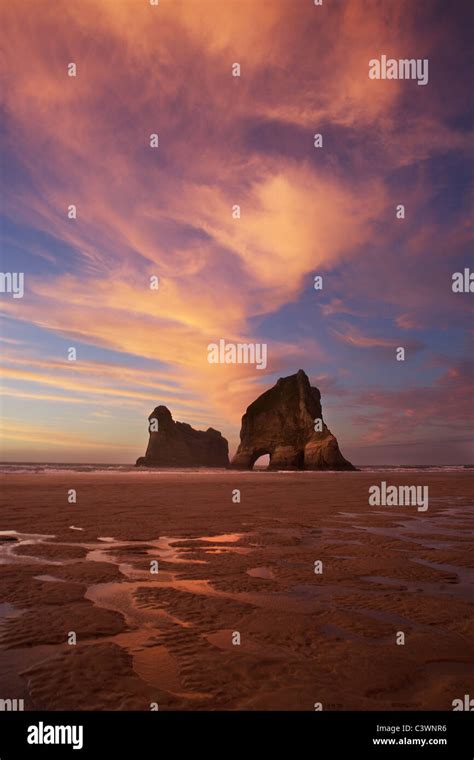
[[281, 423]]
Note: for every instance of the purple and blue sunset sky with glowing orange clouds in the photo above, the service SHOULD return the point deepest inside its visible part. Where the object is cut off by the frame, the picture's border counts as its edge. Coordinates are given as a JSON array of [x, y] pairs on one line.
[[167, 212]]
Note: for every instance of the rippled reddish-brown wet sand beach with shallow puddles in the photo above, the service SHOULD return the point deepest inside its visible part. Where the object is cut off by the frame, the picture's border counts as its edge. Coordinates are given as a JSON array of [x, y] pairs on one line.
[[226, 568]]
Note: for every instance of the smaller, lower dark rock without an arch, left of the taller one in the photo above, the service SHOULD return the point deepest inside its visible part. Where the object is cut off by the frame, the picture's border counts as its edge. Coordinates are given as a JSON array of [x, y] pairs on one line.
[[177, 444]]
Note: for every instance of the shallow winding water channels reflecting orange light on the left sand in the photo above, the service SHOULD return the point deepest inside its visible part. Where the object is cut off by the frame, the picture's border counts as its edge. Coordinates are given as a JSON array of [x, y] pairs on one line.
[[152, 660]]
